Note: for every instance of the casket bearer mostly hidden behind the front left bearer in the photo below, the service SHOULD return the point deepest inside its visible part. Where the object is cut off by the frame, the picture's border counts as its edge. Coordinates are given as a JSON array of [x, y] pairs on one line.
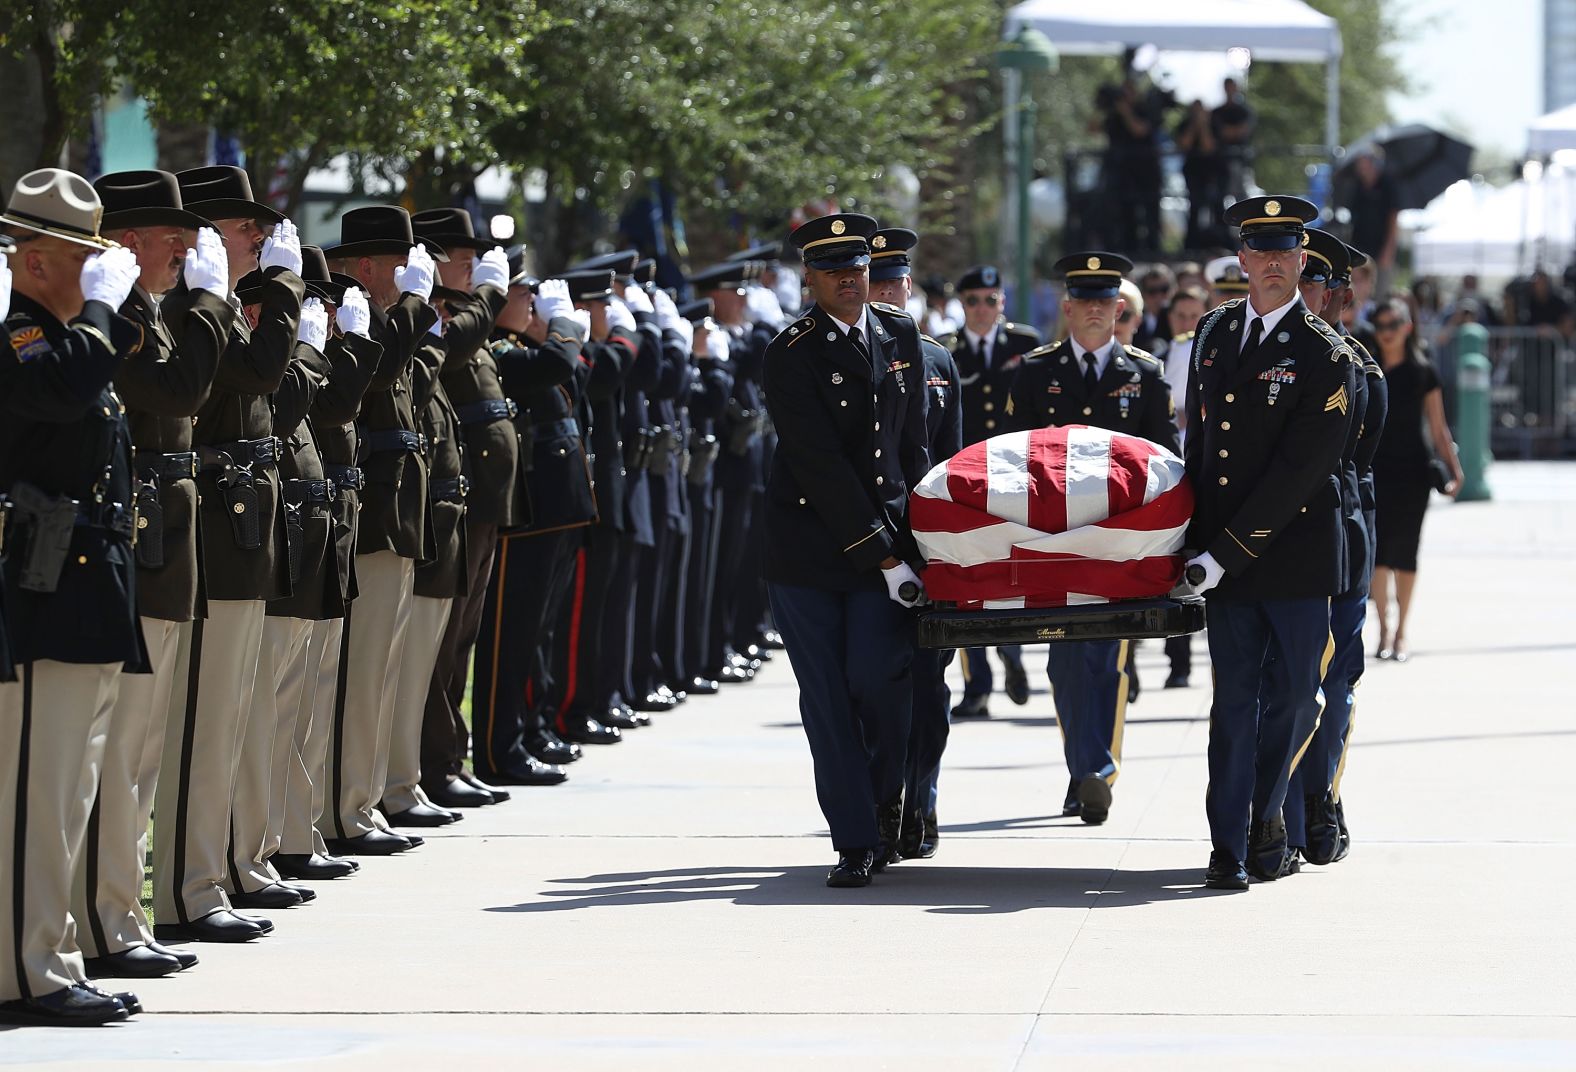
[[891, 285]]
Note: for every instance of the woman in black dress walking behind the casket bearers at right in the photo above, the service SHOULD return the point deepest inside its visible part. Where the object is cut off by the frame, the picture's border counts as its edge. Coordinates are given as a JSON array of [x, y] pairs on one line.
[[1414, 434]]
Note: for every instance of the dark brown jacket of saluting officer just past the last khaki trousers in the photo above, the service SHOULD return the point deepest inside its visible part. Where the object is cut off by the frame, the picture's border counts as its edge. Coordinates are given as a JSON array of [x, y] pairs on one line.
[[470, 381]]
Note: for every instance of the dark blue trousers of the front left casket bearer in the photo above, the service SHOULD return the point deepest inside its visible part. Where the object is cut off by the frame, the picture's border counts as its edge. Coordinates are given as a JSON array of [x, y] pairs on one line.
[[852, 653]]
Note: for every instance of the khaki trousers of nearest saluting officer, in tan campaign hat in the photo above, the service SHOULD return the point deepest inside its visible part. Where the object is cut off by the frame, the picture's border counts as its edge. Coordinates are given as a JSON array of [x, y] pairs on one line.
[[54, 721]]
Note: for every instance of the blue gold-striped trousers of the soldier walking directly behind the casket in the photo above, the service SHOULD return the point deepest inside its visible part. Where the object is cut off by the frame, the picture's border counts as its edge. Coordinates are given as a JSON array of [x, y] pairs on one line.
[[1090, 688]]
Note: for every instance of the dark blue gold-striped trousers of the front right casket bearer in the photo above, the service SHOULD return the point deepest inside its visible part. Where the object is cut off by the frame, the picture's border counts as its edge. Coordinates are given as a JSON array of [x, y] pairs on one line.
[[1269, 660]]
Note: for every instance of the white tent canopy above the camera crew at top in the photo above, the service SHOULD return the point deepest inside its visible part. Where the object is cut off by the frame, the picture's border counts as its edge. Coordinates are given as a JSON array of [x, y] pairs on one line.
[[1277, 31]]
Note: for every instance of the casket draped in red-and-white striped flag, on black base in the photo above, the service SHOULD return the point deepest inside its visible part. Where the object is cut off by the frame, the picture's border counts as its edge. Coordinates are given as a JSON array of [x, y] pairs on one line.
[[1061, 534]]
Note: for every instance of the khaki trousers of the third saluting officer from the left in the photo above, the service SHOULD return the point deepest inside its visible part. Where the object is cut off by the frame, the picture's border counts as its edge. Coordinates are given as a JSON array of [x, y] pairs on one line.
[[191, 810]]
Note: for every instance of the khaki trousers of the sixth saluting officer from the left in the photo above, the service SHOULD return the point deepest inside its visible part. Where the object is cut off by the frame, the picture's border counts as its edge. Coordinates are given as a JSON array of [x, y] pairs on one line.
[[373, 652]]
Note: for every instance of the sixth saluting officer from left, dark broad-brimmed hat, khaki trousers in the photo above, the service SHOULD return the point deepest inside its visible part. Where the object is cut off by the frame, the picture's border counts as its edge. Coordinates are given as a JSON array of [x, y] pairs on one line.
[[392, 537]]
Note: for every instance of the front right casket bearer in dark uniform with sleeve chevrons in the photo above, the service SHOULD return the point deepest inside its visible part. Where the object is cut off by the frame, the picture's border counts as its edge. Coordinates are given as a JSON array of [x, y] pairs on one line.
[[1269, 406]]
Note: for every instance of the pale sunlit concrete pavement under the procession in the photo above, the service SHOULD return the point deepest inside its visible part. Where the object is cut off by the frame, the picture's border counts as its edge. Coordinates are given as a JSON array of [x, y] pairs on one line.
[[666, 909]]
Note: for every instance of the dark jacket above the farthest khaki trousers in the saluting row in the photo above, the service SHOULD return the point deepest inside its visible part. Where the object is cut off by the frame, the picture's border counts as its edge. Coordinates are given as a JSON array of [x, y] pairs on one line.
[[444, 578]]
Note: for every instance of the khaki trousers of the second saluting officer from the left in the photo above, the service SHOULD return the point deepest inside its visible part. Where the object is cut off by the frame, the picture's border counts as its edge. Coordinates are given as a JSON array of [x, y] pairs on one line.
[[106, 898]]
